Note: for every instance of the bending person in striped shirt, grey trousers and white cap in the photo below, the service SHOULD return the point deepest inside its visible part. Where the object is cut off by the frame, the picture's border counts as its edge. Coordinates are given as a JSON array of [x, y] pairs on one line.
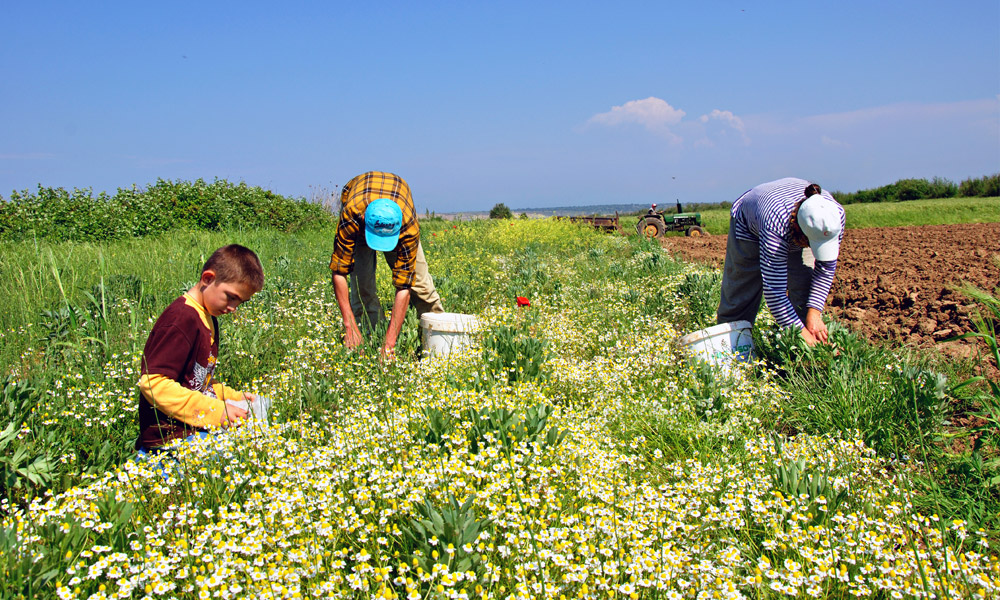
[[770, 229]]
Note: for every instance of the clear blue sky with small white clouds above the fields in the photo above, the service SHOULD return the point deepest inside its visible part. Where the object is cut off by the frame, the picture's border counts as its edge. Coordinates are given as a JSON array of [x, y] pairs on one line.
[[533, 104]]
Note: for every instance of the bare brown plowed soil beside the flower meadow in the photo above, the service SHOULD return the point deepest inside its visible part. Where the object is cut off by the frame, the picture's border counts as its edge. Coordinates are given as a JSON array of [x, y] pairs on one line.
[[897, 283]]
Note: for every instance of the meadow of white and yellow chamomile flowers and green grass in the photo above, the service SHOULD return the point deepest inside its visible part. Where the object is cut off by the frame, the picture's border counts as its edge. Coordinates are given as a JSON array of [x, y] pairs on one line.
[[574, 449]]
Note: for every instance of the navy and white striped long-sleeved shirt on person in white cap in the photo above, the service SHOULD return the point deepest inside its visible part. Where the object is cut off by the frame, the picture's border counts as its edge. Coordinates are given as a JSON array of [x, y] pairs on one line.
[[763, 215]]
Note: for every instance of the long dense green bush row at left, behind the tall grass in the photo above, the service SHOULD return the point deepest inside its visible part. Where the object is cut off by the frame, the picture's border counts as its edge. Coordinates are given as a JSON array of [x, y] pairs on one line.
[[56, 214]]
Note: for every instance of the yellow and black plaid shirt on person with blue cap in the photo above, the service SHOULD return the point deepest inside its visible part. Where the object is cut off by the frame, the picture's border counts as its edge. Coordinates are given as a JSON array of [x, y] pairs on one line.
[[354, 199]]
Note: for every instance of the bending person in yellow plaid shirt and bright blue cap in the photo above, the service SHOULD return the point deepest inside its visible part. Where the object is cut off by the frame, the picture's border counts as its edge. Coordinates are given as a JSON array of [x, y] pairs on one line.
[[377, 214]]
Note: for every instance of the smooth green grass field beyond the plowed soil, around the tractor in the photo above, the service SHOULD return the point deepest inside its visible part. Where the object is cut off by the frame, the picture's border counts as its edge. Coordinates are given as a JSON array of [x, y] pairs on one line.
[[945, 211]]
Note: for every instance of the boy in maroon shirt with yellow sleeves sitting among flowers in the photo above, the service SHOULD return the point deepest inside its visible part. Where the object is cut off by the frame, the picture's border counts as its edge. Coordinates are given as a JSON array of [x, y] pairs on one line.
[[178, 397]]
